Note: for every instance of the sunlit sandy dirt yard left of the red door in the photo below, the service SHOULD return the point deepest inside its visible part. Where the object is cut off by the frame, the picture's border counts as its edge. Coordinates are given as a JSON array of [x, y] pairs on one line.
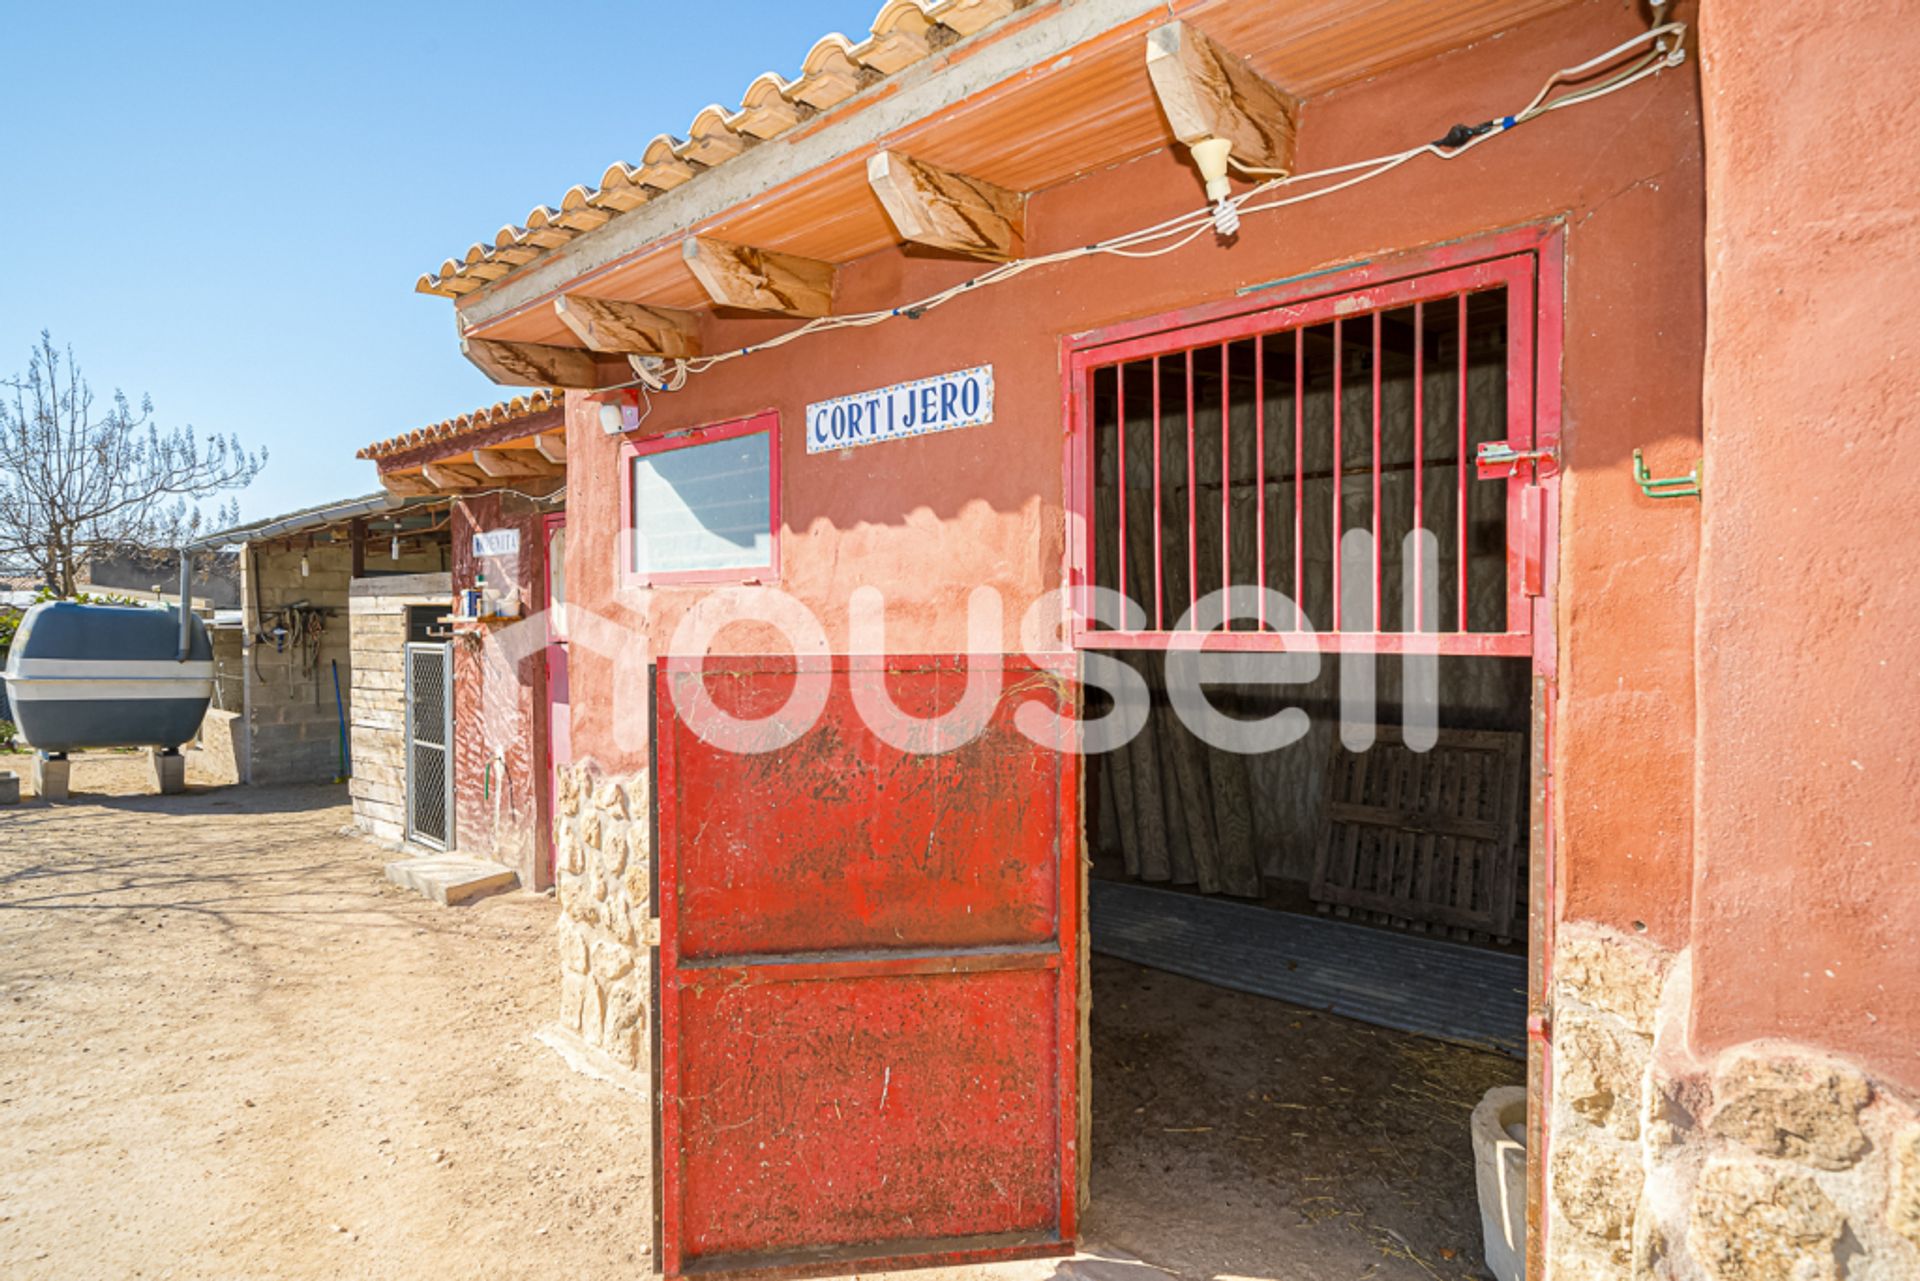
[[231, 1050]]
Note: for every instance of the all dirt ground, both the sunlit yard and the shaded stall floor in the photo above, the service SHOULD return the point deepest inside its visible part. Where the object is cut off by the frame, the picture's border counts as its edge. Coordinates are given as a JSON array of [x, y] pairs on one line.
[[229, 1048]]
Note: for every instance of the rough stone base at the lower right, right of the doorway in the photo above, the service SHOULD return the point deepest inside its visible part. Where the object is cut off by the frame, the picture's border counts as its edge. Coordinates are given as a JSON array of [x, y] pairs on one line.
[[1773, 1163]]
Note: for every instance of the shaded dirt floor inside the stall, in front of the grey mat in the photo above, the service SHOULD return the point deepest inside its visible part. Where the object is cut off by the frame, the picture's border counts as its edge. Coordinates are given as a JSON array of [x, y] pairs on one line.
[[1241, 1136]]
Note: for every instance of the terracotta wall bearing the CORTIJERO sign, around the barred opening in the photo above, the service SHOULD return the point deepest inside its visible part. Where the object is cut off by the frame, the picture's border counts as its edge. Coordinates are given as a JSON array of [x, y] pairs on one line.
[[932, 518]]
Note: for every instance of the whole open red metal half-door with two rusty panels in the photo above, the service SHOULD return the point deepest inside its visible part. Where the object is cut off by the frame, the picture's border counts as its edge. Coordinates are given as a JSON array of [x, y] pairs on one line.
[[867, 980]]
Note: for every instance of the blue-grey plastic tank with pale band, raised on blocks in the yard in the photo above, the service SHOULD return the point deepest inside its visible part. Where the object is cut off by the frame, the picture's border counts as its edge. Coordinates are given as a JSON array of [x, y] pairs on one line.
[[108, 677]]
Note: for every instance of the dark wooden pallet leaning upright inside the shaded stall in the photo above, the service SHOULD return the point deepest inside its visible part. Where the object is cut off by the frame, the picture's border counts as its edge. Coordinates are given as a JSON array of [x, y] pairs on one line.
[[1428, 840]]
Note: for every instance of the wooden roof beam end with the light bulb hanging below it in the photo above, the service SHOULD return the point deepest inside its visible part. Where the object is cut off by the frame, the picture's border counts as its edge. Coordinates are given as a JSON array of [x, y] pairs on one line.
[[1209, 93]]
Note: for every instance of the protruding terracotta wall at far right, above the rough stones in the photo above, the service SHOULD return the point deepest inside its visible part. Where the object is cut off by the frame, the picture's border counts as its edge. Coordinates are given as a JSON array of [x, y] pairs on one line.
[[1808, 783]]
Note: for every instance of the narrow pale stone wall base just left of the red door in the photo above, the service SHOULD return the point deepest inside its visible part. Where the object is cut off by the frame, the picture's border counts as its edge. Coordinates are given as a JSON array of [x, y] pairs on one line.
[[606, 929]]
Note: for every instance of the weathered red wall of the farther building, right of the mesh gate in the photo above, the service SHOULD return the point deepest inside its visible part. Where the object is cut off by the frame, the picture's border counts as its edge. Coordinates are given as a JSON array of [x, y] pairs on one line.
[[500, 698]]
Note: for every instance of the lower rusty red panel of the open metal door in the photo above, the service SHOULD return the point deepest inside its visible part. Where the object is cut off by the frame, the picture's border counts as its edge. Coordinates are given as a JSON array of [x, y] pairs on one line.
[[867, 1111]]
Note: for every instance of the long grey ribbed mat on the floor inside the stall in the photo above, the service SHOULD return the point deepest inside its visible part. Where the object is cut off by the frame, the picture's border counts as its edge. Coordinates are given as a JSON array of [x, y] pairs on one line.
[[1433, 988]]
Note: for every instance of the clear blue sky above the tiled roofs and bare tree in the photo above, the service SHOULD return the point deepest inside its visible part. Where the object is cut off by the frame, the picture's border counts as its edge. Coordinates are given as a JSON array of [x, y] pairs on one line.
[[226, 206]]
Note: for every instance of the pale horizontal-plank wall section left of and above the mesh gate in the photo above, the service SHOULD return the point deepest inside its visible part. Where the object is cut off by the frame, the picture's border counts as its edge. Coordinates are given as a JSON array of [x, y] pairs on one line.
[[377, 616]]
